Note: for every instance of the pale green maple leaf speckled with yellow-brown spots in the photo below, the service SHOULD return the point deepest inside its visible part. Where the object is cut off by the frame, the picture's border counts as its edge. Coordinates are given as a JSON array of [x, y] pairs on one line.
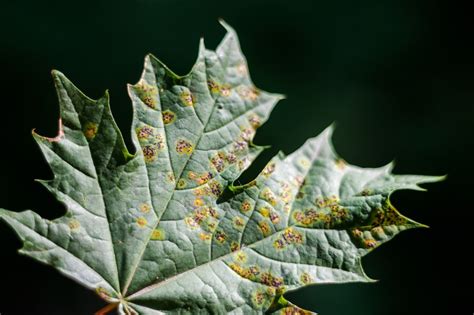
[[149, 232]]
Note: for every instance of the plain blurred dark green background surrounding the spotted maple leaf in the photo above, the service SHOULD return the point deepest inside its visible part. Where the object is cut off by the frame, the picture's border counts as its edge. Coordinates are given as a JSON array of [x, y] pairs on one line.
[[396, 76]]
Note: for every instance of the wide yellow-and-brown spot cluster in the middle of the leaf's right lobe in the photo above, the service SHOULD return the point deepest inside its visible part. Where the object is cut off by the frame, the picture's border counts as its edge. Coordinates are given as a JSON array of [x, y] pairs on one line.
[[327, 214]]
